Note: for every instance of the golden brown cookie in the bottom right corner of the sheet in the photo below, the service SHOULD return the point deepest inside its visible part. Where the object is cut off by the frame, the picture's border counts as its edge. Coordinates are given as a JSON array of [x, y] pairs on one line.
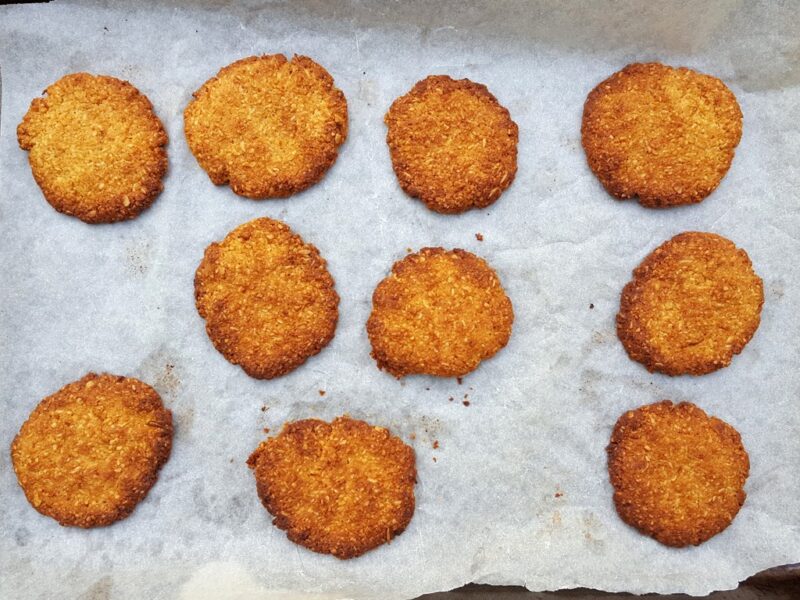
[[678, 474]]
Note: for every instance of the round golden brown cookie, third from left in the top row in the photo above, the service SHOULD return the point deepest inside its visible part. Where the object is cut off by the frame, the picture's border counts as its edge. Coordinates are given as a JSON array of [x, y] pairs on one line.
[[453, 145]]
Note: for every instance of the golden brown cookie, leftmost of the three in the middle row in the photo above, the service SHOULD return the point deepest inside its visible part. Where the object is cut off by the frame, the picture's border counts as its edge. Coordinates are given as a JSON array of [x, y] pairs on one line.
[[267, 298]]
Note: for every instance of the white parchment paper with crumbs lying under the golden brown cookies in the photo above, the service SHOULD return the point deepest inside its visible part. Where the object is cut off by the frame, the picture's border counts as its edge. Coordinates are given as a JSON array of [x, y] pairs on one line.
[[518, 492]]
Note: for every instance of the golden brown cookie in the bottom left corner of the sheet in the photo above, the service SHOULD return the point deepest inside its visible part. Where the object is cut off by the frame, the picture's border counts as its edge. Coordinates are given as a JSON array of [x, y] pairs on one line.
[[88, 454]]
